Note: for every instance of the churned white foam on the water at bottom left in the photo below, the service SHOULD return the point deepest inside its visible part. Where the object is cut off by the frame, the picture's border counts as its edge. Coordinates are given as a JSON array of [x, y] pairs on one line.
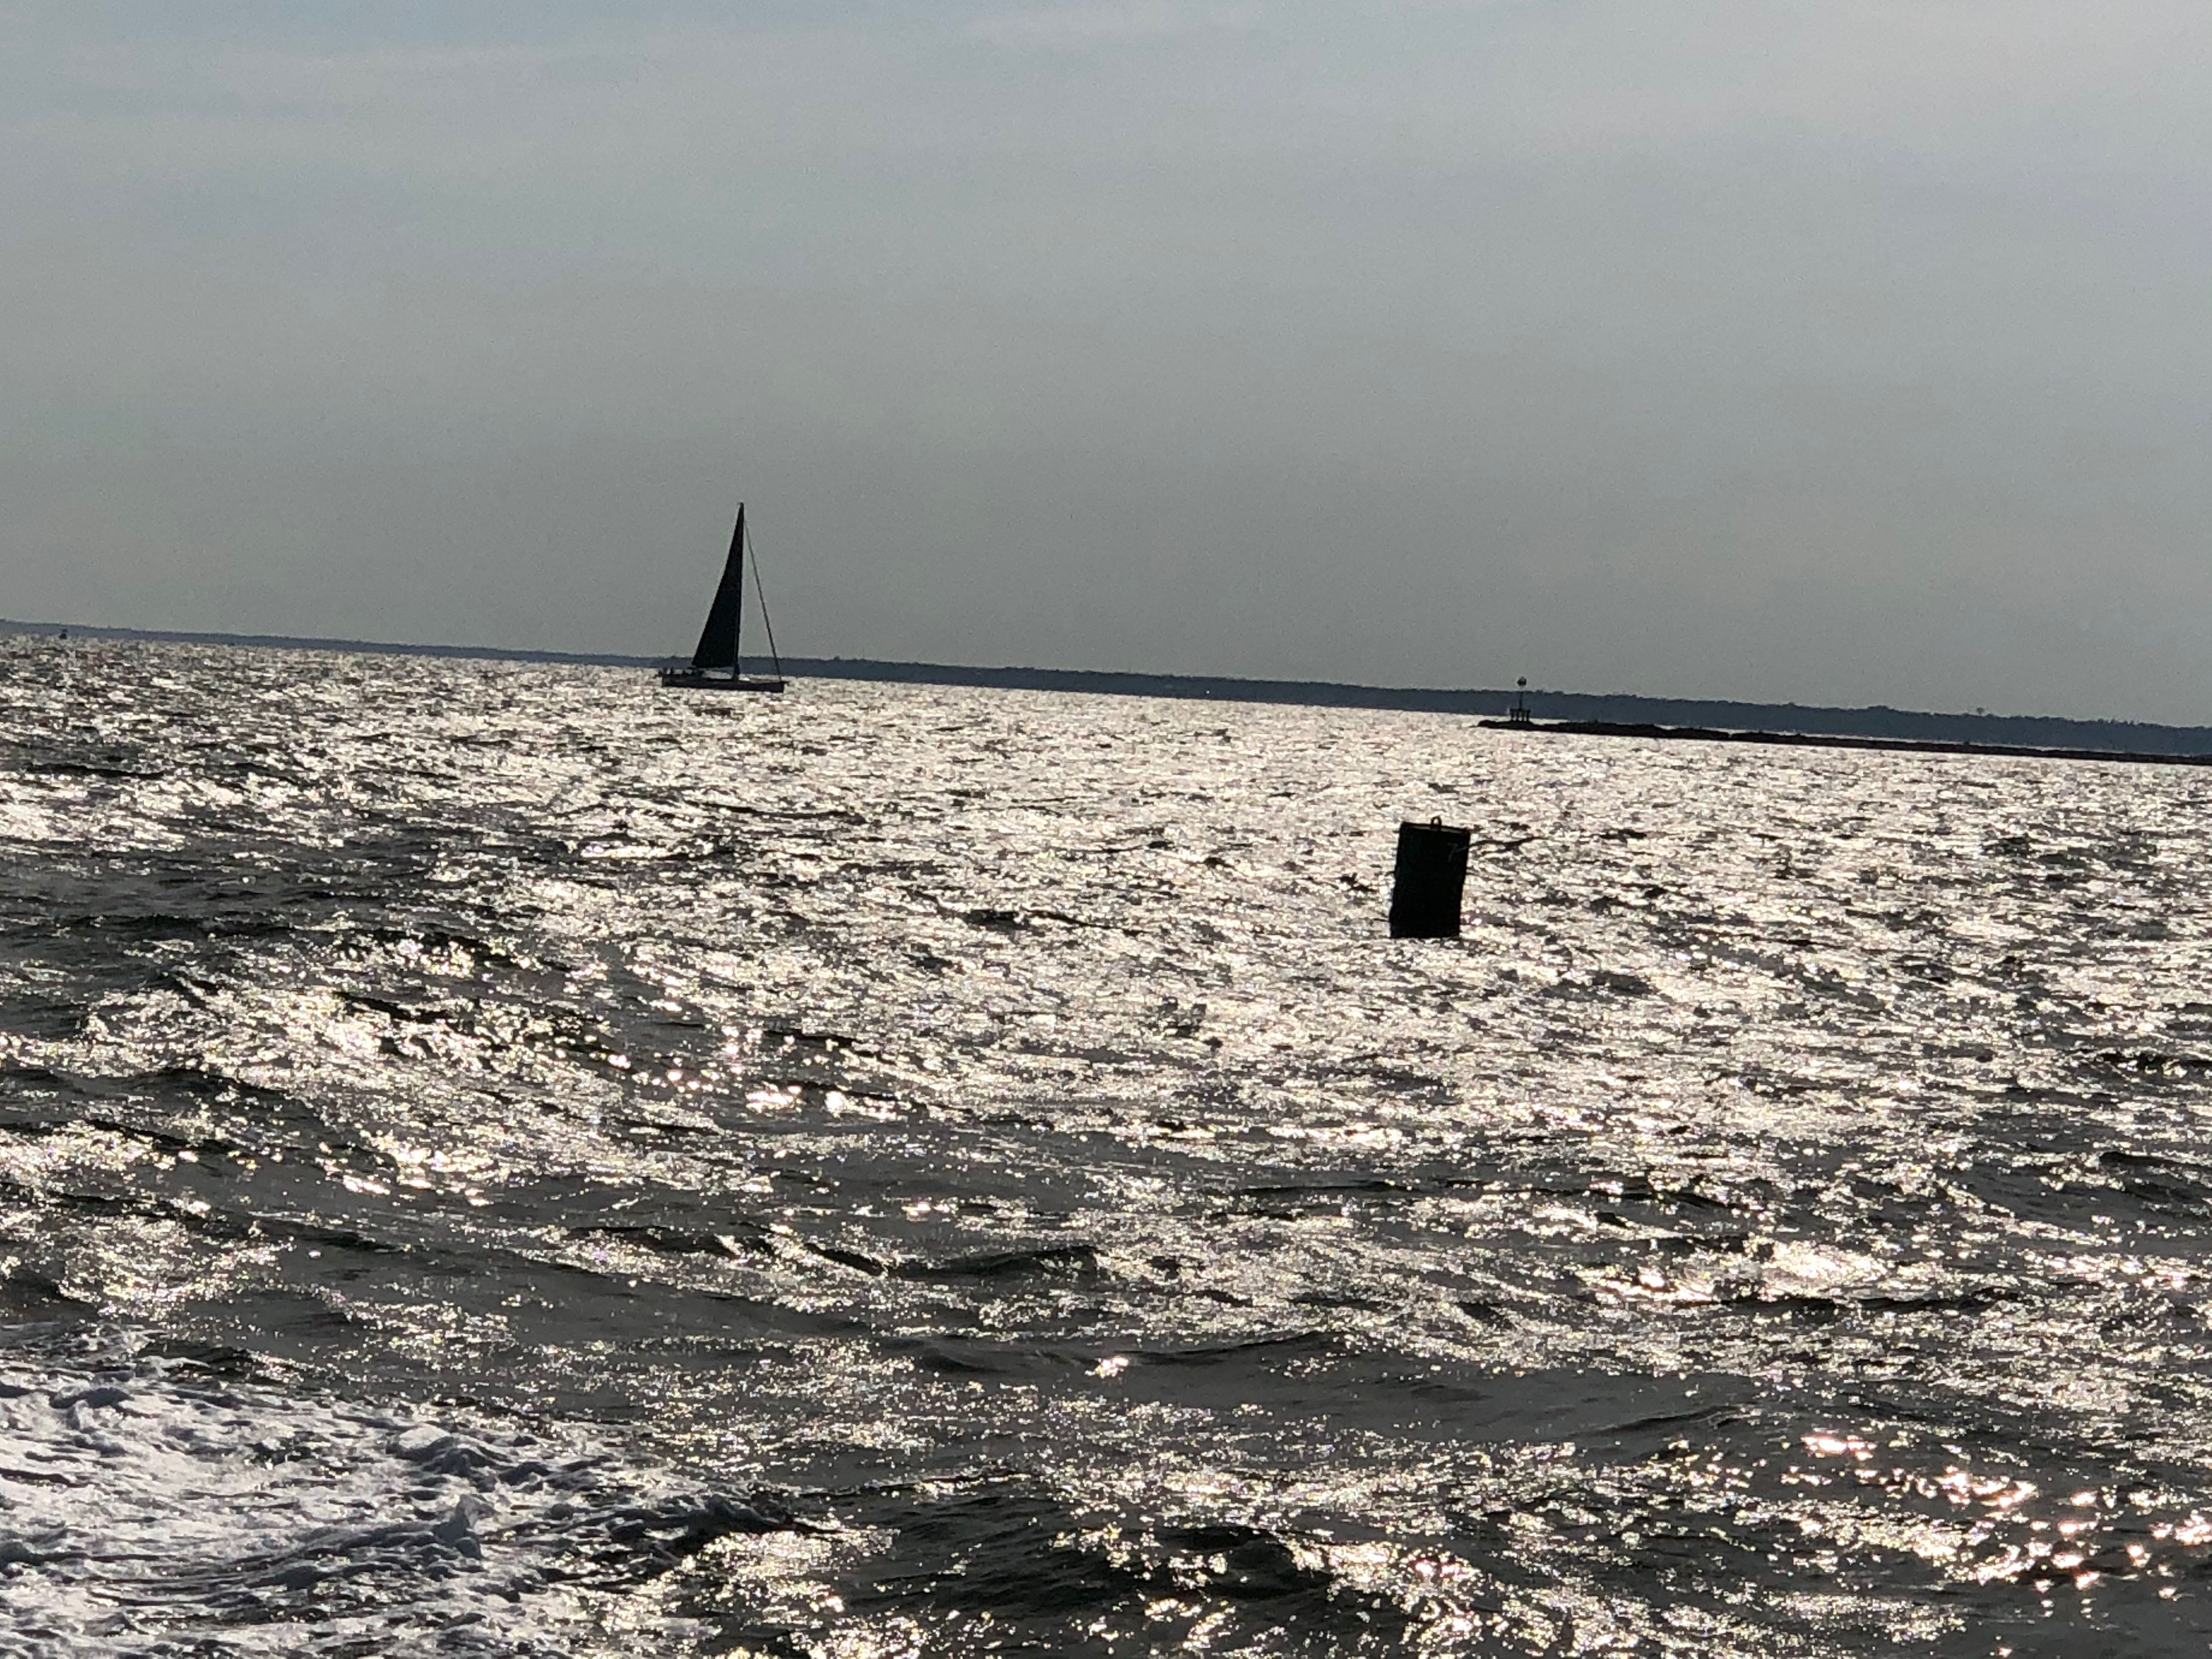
[[147, 1507]]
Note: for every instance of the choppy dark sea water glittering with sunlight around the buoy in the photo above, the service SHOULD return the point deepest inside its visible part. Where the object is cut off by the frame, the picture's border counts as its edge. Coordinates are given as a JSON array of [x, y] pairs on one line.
[[505, 1160]]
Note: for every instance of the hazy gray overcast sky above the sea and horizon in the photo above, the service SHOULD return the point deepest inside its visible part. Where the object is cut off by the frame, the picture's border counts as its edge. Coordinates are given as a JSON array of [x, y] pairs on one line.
[[1817, 351]]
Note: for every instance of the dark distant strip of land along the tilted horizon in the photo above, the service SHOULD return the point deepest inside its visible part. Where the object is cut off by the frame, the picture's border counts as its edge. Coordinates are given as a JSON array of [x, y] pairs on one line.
[[2003, 731]]
